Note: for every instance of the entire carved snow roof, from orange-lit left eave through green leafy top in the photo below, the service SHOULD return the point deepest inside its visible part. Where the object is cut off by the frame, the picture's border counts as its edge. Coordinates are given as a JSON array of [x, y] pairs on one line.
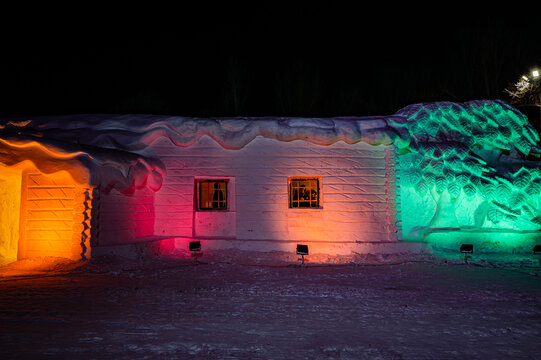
[[112, 147]]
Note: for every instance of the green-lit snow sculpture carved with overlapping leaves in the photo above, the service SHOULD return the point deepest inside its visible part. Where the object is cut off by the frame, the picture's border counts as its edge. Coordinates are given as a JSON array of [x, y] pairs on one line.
[[469, 166]]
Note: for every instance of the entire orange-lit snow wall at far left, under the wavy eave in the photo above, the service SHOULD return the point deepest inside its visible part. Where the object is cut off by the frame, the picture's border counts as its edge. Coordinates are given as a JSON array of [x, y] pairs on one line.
[[41, 214]]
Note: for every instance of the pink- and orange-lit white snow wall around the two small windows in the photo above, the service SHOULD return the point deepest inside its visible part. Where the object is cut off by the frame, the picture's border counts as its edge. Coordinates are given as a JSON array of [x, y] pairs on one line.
[[356, 181]]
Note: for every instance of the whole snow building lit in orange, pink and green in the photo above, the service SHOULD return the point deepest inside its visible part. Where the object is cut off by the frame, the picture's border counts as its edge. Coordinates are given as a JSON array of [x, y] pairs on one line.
[[73, 186]]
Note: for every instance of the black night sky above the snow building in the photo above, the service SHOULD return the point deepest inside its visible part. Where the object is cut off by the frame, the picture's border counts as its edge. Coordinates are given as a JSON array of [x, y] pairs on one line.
[[266, 61]]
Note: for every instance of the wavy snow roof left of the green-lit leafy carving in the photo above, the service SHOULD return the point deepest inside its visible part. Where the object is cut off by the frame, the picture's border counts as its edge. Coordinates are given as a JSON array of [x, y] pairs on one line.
[[110, 151]]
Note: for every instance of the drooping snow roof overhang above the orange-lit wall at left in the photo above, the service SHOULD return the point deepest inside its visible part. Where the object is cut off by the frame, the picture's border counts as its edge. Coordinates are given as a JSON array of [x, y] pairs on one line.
[[22, 142]]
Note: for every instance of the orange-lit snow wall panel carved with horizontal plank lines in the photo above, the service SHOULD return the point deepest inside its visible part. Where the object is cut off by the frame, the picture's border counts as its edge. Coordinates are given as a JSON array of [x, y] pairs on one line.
[[55, 213]]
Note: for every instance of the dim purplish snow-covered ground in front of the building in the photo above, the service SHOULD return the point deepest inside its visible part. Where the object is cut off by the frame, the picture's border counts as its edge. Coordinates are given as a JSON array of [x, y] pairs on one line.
[[395, 308]]
